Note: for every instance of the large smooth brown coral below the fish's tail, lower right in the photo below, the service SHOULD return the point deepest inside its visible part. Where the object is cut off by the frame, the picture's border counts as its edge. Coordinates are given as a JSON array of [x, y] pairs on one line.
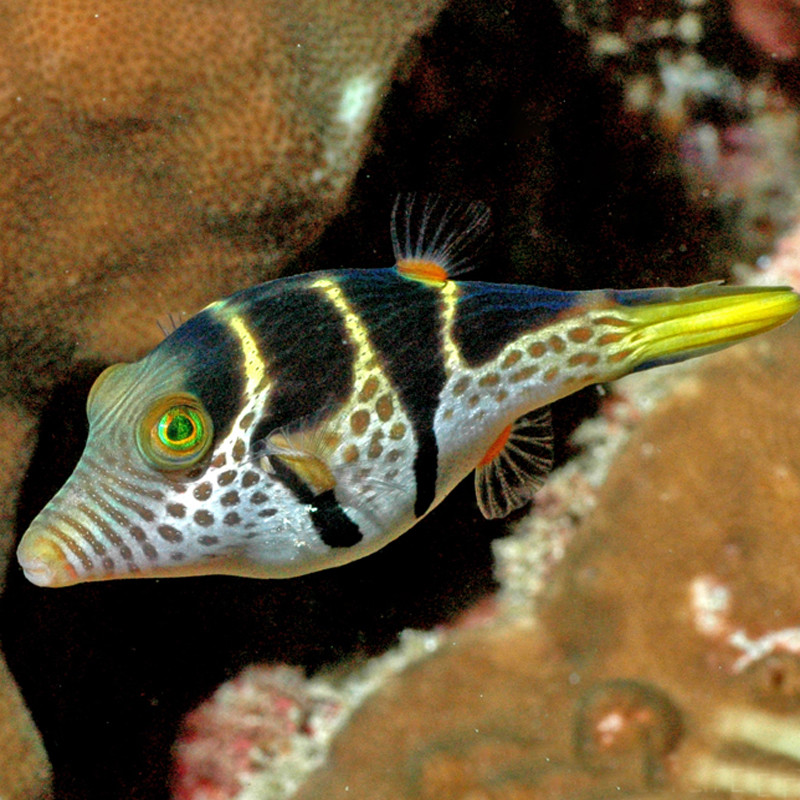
[[668, 652]]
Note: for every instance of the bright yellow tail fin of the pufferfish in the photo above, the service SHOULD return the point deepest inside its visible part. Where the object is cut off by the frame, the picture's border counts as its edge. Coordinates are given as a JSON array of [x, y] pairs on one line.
[[650, 327]]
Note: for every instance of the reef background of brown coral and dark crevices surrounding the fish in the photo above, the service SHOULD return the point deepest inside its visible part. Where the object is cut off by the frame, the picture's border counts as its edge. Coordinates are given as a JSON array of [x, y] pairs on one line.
[[637, 633]]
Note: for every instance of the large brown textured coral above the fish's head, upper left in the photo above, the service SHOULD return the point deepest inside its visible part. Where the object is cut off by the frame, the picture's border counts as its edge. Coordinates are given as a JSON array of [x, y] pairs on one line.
[[158, 156]]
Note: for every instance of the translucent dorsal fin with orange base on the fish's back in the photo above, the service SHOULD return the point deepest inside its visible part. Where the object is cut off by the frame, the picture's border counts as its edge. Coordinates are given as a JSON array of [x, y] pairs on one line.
[[434, 239]]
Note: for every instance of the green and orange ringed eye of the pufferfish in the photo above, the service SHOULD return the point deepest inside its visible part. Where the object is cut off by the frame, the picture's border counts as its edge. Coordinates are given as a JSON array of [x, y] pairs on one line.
[[175, 433]]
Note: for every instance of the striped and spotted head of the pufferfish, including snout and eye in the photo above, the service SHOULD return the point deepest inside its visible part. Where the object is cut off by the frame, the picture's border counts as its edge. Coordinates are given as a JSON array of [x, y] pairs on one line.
[[148, 489]]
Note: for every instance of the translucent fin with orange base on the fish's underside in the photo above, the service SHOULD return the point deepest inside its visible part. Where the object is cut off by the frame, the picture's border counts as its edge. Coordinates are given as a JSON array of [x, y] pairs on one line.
[[515, 466]]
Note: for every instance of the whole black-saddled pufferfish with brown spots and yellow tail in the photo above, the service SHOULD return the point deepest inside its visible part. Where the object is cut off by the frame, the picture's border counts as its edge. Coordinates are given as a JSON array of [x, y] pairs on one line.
[[308, 421]]
